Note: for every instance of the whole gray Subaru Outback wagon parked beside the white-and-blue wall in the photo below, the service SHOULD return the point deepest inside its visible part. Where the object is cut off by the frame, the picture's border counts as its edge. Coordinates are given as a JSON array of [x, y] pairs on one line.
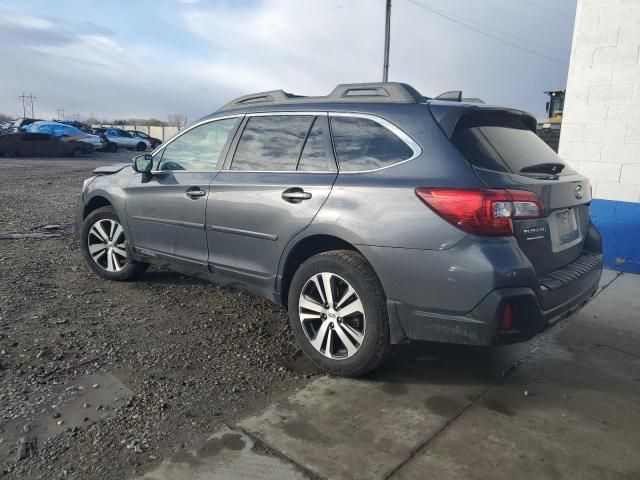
[[374, 215]]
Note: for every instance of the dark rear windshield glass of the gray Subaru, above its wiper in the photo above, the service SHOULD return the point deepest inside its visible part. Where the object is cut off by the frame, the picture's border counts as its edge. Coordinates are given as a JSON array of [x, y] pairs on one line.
[[502, 142]]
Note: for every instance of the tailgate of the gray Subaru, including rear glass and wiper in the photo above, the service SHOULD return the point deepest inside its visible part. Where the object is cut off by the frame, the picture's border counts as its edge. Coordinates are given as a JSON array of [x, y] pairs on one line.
[[505, 152]]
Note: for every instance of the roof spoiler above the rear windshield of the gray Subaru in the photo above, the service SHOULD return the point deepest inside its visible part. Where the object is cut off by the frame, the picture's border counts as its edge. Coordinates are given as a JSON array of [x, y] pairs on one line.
[[447, 115]]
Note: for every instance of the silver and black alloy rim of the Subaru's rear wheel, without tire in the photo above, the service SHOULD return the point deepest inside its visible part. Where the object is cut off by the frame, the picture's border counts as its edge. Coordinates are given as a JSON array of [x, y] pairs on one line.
[[332, 316]]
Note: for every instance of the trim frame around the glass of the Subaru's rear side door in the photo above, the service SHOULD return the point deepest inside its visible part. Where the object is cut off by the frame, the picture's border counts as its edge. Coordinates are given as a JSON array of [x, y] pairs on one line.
[[322, 116]]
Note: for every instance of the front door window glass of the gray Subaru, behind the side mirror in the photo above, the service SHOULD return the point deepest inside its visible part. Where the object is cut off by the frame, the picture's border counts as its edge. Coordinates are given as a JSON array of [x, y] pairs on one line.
[[200, 148]]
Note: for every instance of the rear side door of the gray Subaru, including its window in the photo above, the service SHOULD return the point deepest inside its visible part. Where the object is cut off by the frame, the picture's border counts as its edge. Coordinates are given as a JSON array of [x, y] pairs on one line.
[[278, 173]]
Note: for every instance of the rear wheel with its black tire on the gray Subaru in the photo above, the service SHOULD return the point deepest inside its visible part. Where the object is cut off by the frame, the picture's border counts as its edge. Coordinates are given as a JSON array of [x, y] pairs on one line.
[[338, 313]]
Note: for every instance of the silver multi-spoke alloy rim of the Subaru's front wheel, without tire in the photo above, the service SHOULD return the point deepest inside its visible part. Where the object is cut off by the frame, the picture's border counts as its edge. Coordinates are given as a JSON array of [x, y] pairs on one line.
[[107, 245]]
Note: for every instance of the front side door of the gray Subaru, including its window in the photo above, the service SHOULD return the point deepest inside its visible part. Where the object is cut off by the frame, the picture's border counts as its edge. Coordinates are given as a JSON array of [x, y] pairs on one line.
[[166, 210]]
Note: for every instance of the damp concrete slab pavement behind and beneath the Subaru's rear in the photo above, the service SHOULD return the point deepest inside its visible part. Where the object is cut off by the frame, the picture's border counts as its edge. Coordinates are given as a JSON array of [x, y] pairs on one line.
[[564, 405]]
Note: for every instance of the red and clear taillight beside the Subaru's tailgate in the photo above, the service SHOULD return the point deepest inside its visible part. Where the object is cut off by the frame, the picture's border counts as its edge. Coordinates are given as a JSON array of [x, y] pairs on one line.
[[482, 211]]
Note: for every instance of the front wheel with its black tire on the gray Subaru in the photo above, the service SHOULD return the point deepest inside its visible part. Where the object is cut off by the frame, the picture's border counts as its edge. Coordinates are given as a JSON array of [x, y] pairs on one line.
[[105, 247]]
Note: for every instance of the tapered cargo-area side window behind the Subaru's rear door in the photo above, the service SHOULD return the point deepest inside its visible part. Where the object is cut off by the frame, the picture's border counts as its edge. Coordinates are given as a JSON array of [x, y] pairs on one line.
[[364, 144]]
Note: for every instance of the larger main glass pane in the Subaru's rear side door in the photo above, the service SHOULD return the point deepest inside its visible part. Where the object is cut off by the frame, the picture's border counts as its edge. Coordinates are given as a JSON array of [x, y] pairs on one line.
[[271, 143]]
